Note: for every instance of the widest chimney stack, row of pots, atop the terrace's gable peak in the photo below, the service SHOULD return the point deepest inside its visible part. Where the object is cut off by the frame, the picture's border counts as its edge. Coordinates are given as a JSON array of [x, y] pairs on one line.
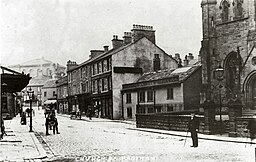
[[140, 31]]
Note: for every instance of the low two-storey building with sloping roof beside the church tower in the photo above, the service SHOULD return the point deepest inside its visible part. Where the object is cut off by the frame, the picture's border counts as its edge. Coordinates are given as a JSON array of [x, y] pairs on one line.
[[163, 91]]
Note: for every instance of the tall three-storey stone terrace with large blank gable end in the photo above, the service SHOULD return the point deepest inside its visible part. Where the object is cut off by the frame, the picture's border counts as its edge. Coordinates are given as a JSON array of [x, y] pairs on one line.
[[98, 81]]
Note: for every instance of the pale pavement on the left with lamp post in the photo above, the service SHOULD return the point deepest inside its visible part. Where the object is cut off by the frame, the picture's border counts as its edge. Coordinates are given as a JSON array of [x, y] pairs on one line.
[[20, 144]]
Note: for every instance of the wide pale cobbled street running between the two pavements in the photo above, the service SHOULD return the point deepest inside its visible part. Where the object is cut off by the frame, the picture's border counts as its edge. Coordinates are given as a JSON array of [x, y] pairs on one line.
[[84, 140]]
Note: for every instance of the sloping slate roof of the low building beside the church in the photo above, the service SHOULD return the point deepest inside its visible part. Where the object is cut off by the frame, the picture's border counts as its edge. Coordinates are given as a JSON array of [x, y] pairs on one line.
[[183, 73]]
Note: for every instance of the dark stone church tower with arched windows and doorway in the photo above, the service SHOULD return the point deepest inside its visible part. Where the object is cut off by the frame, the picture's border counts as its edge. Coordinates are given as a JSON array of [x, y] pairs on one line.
[[228, 44]]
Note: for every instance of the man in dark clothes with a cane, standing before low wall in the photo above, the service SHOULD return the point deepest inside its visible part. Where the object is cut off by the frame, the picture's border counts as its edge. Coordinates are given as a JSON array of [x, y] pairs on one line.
[[193, 127]]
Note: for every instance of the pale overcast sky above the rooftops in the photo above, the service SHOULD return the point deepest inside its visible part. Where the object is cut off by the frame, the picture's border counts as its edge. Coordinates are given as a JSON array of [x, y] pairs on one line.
[[59, 30]]
